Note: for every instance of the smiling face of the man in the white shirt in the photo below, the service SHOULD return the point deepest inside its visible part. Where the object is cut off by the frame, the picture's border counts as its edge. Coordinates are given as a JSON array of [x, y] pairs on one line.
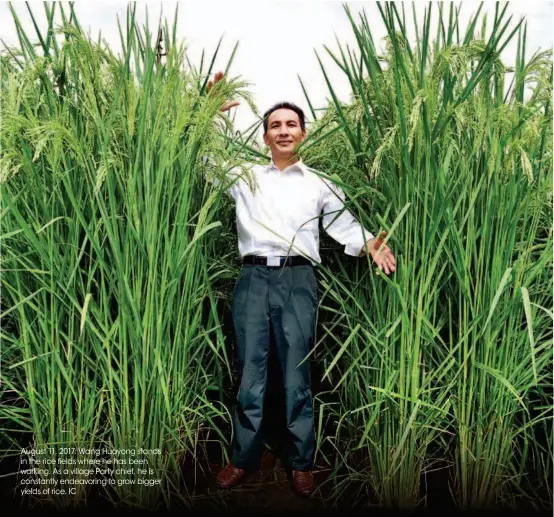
[[283, 133]]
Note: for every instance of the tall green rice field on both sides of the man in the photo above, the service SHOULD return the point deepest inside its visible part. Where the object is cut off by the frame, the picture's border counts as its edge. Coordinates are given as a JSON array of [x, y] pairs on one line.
[[119, 258]]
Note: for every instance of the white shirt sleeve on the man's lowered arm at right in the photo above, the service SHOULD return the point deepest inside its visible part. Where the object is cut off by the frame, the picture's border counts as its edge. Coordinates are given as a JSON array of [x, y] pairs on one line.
[[344, 228]]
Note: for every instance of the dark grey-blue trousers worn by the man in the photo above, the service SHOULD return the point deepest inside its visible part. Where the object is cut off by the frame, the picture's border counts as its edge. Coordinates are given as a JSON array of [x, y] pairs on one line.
[[282, 301]]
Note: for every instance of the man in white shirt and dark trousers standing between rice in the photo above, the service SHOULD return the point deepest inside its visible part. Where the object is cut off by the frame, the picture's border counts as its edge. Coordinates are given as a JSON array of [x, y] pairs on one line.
[[276, 291]]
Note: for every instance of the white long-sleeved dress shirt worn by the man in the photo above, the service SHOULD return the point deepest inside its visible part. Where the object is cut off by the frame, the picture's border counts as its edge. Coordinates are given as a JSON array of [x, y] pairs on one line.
[[281, 216]]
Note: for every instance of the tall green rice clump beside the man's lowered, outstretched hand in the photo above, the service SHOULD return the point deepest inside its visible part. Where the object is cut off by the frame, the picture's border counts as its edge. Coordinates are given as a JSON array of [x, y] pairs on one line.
[[448, 358]]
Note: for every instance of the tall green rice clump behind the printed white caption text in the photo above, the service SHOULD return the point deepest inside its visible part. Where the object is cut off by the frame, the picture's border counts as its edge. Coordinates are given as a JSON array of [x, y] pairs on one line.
[[111, 326]]
